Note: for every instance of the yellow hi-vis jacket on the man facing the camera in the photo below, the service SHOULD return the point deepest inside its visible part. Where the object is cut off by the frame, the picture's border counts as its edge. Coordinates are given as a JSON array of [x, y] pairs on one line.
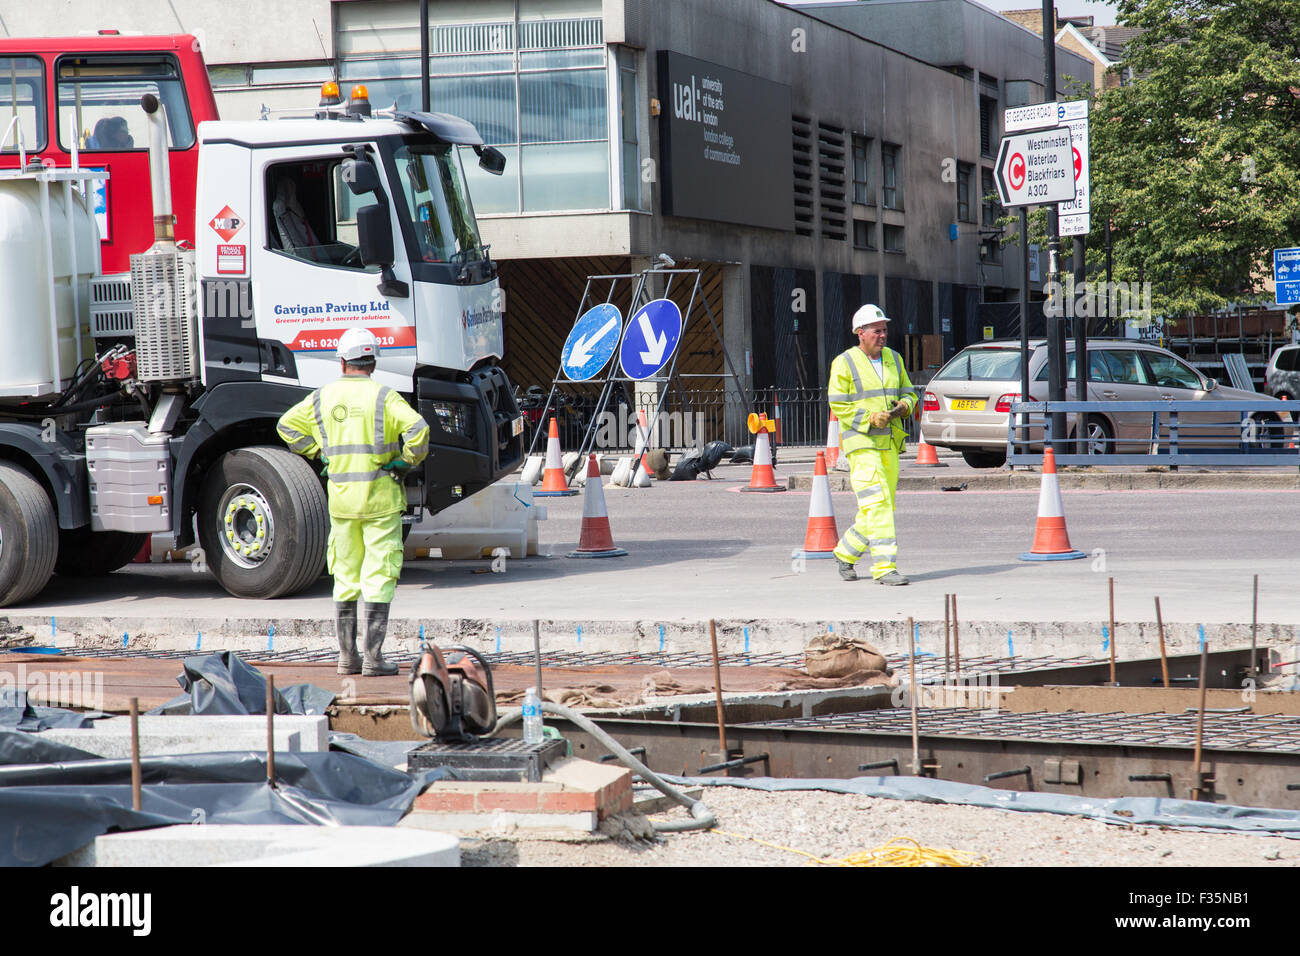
[[856, 391]]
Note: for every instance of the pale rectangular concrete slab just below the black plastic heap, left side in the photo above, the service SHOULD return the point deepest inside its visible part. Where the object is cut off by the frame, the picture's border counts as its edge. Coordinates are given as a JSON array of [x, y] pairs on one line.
[[162, 736]]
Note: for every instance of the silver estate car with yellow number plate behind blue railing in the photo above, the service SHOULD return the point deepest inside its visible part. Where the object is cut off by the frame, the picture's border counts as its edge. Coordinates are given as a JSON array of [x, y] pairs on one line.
[[968, 403]]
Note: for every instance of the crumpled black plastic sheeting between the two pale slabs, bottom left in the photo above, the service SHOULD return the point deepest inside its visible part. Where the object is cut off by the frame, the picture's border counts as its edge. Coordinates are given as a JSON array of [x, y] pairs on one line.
[[47, 811]]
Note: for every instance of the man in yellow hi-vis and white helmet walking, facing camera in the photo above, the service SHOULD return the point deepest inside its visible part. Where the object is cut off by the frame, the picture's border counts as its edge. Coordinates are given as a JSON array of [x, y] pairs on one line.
[[870, 395]]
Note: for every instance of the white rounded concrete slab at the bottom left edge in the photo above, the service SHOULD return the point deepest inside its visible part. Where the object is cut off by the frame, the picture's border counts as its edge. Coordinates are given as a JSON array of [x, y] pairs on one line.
[[270, 846]]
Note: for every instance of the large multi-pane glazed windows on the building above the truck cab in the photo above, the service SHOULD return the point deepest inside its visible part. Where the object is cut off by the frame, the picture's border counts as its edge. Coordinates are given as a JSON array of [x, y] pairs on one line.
[[535, 85]]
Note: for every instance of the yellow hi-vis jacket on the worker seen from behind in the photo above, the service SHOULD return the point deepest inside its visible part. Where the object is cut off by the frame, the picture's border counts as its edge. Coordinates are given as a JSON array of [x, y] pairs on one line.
[[357, 425]]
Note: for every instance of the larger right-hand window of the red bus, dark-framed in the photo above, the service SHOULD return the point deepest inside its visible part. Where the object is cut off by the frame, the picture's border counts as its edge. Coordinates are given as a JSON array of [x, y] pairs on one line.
[[99, 102]]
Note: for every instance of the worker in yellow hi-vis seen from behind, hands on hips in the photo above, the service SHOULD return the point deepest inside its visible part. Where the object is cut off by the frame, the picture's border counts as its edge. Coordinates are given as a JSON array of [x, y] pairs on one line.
[[369, 439]]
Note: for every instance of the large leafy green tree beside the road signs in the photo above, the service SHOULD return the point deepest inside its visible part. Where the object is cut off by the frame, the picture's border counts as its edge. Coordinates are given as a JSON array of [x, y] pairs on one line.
[[1197, 162]]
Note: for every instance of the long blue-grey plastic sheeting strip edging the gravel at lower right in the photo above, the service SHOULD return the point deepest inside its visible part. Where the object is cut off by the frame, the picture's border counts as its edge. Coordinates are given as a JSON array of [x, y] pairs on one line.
[[1185, 815]]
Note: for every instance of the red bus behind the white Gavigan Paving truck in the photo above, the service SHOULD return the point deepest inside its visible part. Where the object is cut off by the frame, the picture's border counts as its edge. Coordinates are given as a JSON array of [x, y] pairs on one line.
[[84, 94]]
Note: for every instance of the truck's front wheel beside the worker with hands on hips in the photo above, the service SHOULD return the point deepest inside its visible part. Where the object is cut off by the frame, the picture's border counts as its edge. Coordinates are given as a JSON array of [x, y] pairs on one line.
[[263, 522]]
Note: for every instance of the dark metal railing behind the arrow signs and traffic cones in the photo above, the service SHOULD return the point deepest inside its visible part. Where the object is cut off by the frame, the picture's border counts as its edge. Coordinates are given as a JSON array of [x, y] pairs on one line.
[[692, 418]]
